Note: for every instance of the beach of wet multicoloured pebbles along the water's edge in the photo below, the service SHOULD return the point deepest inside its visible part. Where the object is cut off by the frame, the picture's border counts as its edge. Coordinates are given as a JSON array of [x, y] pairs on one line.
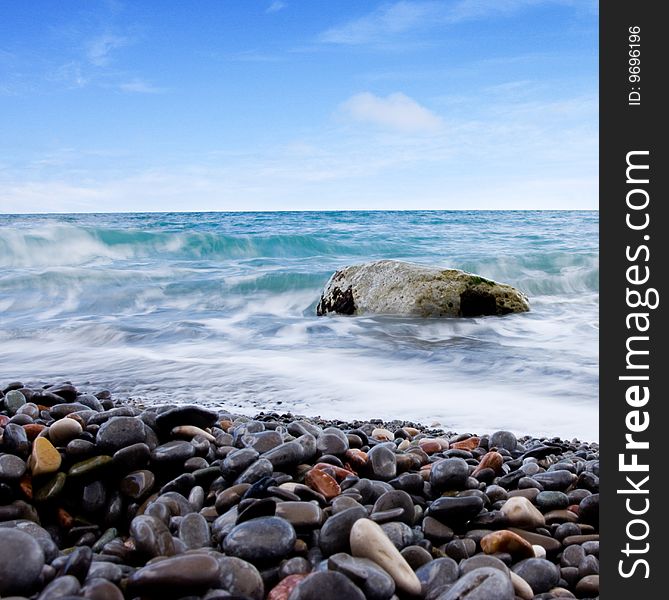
[[114, 499]]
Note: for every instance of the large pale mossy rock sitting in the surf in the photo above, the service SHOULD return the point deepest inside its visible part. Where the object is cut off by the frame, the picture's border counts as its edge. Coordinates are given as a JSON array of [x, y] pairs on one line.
[[393, 287]]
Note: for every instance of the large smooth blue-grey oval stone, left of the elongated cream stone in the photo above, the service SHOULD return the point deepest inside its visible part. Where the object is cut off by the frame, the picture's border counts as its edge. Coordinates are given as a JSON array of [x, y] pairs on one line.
[[262, 540]]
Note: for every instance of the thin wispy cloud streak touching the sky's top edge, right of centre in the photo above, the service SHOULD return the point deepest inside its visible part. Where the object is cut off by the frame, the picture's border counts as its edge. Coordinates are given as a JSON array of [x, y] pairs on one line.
[[393, 19]]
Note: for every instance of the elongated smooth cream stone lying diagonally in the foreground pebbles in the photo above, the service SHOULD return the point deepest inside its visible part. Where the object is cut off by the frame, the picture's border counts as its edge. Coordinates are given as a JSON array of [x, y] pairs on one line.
[[368, 540]]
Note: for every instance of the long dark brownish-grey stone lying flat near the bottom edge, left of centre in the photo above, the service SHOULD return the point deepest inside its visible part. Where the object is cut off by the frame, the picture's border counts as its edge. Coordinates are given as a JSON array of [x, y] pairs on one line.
[[178, 575]]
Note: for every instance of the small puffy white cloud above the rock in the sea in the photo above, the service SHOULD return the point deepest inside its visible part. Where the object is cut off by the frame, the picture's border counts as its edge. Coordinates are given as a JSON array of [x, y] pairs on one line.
[[396, 112]]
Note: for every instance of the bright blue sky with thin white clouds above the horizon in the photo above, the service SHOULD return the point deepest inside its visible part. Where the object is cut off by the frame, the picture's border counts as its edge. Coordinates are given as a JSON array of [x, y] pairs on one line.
[[292, 105]]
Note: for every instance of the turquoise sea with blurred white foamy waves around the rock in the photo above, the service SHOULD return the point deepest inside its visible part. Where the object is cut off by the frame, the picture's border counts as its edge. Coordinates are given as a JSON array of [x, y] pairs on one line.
[[219, 309]]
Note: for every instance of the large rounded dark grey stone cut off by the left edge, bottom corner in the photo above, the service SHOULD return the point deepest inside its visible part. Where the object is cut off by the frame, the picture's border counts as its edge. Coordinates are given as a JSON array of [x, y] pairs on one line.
[[21, 562]]
